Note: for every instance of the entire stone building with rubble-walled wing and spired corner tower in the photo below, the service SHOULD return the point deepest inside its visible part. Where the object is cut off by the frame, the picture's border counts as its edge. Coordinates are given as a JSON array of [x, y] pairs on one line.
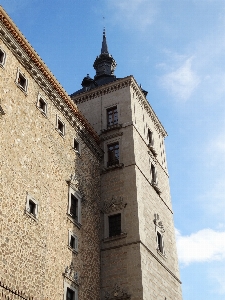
[[85, 208]]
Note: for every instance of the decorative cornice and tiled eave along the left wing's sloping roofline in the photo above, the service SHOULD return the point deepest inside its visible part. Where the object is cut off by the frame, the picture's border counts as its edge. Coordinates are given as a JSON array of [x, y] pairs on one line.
[[40, 72]]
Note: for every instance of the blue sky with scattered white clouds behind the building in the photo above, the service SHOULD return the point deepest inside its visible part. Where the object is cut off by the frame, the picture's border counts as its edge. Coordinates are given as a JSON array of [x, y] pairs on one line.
[[176, 50]]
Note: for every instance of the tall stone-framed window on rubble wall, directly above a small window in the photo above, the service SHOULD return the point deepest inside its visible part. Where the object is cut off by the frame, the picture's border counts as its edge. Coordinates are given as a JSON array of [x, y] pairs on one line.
[[74, 206]]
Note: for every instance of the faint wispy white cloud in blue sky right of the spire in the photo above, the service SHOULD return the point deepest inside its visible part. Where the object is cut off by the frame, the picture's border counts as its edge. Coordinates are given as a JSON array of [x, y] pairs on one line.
[[181, 82]]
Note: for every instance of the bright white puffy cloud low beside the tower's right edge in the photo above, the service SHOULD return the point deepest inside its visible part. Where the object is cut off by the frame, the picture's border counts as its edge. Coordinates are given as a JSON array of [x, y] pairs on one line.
[[204, 245]]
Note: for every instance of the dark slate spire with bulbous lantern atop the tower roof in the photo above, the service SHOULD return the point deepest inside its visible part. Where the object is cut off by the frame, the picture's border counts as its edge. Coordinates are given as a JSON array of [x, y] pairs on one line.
[[104, 64]]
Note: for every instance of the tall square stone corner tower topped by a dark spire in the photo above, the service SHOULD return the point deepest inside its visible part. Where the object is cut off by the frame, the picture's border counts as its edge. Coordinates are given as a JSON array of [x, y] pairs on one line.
[[138, 248]]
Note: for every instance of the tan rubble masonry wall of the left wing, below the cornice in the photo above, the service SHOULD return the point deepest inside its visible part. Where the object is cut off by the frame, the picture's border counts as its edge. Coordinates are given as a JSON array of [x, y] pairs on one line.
[[37, 160]]
